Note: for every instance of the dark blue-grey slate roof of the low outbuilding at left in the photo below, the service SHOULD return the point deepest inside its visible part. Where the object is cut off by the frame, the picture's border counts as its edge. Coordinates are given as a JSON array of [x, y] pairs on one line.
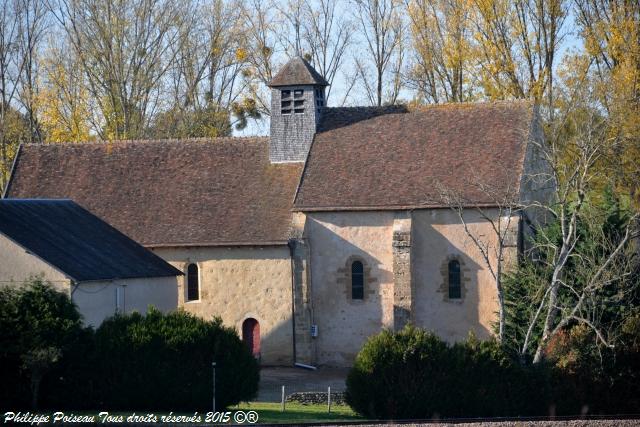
[[79, 244]]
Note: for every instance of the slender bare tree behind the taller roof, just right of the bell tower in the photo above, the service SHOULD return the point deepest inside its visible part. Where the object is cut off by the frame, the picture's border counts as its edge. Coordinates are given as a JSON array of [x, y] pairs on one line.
[[382, 28]]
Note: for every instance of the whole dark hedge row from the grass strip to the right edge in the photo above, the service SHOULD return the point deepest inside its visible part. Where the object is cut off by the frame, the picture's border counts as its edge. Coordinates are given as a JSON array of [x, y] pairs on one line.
[[414, 374]]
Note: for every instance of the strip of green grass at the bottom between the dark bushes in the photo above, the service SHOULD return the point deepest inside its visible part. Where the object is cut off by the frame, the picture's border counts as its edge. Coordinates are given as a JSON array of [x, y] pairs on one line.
[[271, 413]]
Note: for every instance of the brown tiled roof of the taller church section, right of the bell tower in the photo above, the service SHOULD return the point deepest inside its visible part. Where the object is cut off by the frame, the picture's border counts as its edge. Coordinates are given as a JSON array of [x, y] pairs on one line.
[[397, 158]]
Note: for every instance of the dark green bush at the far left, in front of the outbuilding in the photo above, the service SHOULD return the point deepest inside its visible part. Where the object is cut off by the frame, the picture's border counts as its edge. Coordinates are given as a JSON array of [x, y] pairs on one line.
[[40, 334]]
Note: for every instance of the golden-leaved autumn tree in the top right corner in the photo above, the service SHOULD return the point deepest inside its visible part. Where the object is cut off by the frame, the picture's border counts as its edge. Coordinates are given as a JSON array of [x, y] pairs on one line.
[[611, 34]]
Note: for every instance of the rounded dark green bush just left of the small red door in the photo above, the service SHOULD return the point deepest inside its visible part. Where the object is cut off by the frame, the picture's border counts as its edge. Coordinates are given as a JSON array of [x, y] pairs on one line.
[[162, 361]]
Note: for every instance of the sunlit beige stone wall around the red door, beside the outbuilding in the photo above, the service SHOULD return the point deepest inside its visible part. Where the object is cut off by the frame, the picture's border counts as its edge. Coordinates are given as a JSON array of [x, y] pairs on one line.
[[240, 283]]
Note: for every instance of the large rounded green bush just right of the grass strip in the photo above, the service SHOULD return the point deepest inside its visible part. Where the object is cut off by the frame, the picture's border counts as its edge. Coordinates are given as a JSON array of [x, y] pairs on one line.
[[414, 374]]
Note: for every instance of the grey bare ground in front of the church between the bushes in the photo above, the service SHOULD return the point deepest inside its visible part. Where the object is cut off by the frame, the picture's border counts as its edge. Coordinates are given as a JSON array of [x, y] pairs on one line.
[[297, 380]]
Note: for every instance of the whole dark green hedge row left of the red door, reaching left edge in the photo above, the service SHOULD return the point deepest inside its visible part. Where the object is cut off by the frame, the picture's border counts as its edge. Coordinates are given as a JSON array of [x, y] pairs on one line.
[[151, 362]]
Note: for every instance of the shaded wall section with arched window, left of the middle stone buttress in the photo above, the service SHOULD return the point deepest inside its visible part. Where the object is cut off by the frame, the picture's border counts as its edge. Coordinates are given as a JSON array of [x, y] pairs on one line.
[[337, 241]]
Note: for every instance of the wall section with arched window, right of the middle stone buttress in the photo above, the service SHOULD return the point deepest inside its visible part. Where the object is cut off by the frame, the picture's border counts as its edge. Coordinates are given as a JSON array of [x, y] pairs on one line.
[[438, 239]]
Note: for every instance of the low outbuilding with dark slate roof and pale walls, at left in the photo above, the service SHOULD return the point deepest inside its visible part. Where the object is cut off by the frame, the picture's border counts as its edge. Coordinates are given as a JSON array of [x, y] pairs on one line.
[[101, 269]]
